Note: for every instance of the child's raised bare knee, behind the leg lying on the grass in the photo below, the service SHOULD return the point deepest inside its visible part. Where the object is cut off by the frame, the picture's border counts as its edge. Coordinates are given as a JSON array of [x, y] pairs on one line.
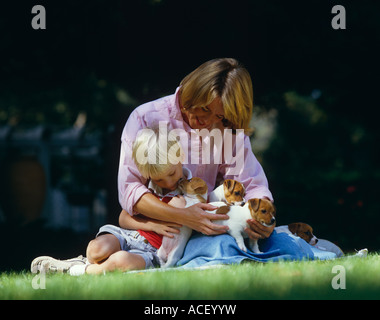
[[102, 247]]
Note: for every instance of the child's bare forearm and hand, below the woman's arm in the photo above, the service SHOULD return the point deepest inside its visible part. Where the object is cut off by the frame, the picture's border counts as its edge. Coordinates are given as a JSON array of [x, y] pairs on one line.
[[126, 221]]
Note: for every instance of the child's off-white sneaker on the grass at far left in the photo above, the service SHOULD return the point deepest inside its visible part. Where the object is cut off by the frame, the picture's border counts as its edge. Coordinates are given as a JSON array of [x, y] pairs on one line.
[[49, 264]]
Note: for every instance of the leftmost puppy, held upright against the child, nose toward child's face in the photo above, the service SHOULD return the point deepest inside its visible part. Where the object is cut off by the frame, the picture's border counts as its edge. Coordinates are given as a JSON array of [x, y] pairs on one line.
[[194, 191]]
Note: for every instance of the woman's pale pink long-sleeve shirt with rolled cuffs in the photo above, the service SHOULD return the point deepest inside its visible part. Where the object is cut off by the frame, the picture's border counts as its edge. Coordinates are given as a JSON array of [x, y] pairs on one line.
[[212, 159]]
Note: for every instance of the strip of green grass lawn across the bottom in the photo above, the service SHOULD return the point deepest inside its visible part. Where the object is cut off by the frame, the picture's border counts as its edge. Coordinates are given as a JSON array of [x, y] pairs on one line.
[[282, 280]]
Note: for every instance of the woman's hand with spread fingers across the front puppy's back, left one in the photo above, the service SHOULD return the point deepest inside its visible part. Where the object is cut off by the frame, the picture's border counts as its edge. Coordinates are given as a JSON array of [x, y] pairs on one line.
[[197, 219]]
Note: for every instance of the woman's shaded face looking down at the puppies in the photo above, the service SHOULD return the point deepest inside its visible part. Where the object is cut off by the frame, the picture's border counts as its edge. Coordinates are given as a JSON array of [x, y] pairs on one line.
[[205, 117]]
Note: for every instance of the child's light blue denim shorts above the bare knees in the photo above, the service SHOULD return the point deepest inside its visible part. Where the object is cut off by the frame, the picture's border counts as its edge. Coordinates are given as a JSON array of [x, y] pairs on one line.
[[133, 242]]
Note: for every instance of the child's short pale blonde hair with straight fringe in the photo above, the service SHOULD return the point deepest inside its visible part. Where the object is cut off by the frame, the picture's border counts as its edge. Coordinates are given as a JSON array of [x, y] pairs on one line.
[[154, 154]]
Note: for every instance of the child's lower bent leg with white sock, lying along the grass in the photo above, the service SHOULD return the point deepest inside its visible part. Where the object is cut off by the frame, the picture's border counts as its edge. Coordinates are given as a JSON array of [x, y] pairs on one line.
[[120, 260]]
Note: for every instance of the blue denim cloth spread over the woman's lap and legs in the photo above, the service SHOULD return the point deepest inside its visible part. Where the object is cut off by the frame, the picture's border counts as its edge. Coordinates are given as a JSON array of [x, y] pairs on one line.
[[222, 249]]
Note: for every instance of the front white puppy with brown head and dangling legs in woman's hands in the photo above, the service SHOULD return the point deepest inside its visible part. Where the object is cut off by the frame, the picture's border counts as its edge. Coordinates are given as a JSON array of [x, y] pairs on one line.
[[261, 210]]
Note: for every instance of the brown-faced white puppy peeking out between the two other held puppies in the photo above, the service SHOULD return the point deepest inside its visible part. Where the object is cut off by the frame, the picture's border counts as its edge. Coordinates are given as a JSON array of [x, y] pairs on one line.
[[231, 192]]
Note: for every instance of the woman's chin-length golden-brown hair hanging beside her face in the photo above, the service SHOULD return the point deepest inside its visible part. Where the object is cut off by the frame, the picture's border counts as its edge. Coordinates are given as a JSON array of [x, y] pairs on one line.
[[227, 79]]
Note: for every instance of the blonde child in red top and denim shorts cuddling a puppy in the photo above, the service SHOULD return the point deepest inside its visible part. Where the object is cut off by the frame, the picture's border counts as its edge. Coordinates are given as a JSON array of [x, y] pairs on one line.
[[115, 248]]
